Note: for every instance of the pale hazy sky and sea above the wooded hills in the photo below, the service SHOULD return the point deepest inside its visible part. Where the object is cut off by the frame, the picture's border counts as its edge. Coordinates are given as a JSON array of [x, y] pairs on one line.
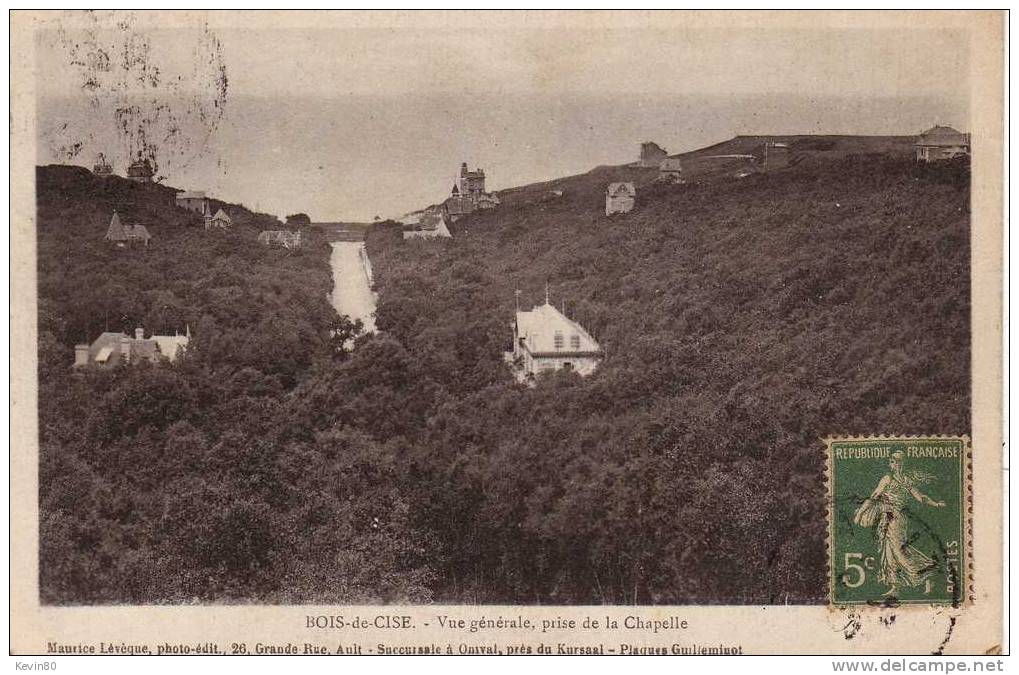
[[351, 116]]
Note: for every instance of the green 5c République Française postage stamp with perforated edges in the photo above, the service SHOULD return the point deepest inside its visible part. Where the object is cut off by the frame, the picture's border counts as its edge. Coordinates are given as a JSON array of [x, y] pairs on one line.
[[899, 521]]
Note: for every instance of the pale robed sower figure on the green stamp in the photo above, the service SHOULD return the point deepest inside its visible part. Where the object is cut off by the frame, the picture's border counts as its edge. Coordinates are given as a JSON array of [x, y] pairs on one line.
[[901, 563]]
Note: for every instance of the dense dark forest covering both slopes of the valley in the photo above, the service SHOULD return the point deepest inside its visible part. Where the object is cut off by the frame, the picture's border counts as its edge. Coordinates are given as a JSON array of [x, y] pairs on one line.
[[742, 321]]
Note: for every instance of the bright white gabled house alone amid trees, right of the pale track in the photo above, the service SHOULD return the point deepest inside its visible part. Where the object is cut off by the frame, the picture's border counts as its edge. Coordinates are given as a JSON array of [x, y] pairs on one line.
[[546, 341]]
